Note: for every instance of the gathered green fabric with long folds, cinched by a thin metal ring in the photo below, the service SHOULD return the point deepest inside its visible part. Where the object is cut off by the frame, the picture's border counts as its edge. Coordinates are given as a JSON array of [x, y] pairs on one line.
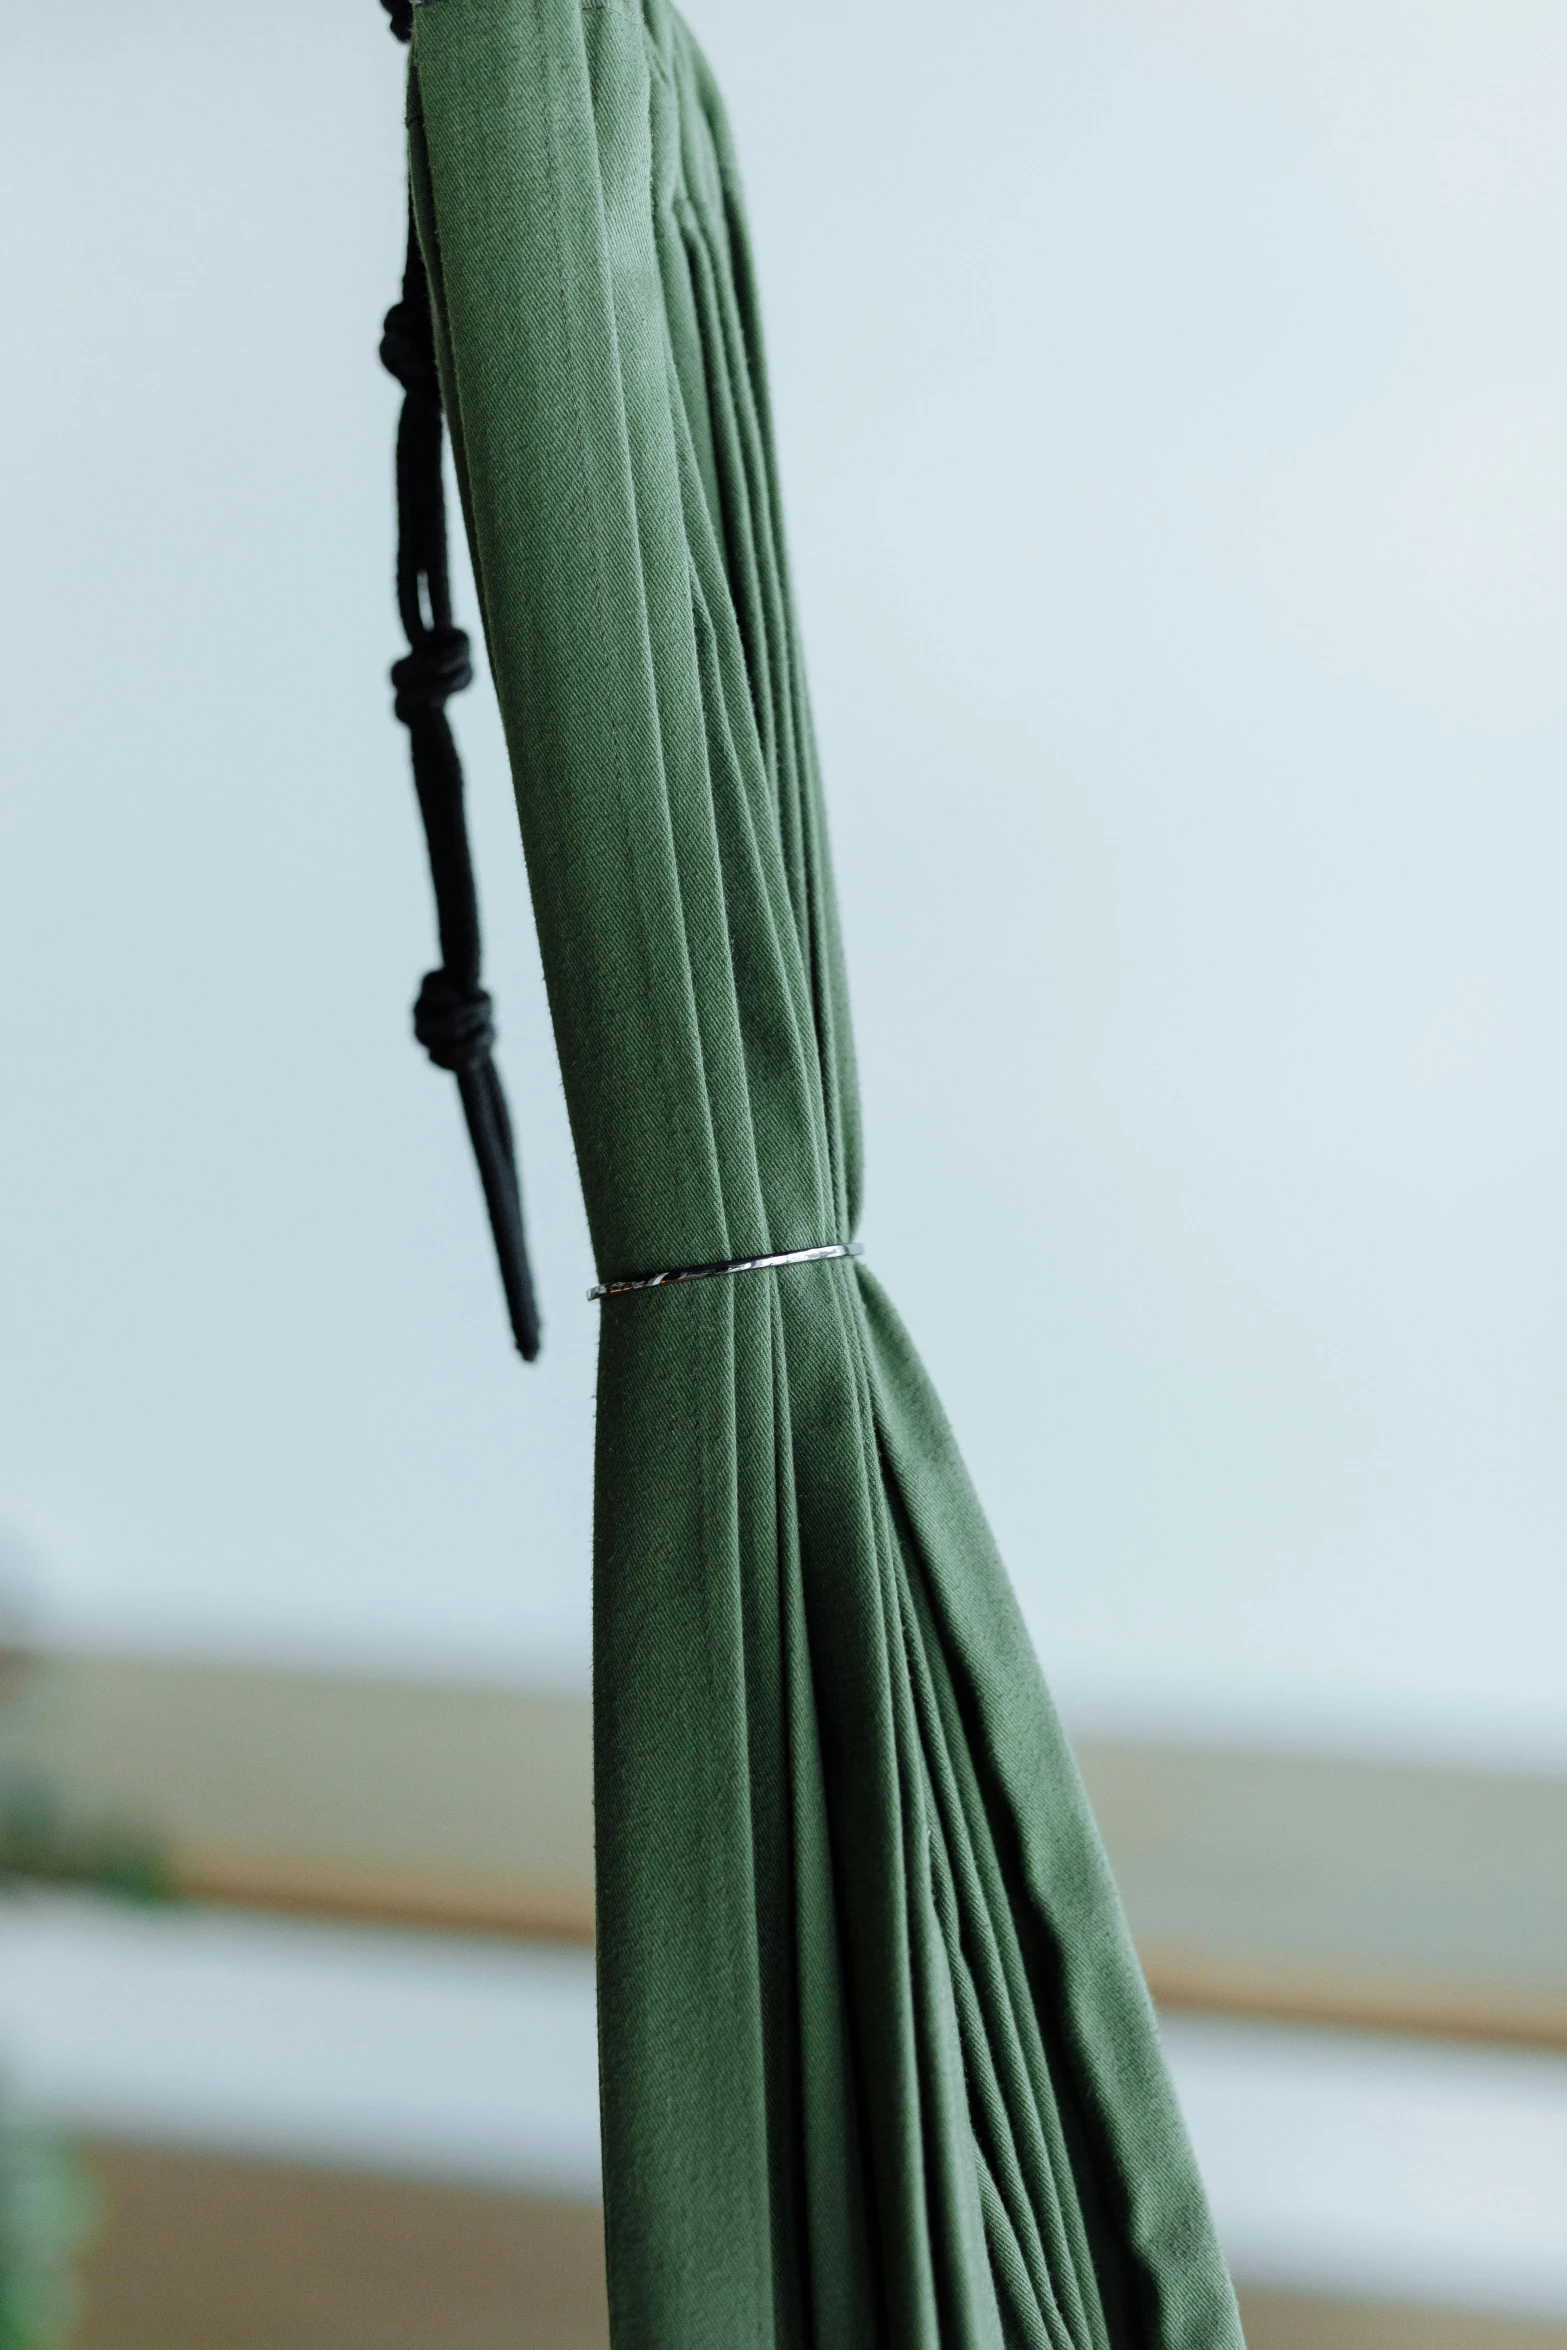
[[877, 2060]]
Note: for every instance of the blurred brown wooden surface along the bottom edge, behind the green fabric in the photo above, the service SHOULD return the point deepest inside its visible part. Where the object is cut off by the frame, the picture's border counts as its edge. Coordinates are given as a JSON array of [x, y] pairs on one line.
[[206, 2252]]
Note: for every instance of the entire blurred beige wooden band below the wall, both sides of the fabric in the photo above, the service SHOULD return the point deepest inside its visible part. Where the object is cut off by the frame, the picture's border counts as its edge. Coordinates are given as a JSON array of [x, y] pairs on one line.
[[1305, 1888]]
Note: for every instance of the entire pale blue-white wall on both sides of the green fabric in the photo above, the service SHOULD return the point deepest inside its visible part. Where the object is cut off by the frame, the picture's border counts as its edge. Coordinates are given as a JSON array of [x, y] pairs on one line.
[[1173, 417]]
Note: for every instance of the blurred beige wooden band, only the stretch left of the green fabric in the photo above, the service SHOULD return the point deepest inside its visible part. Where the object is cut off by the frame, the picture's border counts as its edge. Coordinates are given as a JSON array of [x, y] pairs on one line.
[[365, 1799]]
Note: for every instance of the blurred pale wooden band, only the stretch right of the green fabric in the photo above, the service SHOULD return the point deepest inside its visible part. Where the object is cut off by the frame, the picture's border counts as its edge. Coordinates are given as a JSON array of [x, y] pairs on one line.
[[1331, 1891]]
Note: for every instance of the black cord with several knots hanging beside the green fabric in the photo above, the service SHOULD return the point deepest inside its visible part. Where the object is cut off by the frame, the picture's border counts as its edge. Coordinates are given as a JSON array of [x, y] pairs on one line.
[[452, 1016]]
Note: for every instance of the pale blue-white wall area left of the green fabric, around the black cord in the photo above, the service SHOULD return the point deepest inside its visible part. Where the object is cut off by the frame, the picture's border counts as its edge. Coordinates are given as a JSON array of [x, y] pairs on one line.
[[257, 1381]]
